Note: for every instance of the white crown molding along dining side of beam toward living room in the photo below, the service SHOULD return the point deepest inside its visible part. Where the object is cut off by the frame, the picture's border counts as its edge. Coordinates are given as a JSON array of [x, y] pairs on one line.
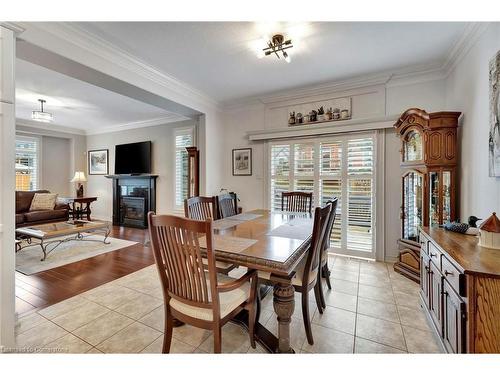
[[92, 43]]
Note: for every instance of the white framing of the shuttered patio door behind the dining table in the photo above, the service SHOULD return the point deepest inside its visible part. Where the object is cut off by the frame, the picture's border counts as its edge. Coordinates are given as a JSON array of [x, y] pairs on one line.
[[344, 177]]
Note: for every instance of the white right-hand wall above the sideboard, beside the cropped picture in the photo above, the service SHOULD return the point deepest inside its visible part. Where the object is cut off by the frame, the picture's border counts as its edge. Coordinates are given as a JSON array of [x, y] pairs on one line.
[[467, 90]]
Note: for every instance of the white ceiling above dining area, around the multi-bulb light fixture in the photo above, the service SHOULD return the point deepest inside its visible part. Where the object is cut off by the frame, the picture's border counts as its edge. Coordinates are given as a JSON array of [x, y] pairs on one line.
[[219, 58]]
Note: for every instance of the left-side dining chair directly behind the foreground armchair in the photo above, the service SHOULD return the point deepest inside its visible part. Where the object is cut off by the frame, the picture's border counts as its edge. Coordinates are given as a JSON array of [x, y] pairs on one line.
[[203, 208]]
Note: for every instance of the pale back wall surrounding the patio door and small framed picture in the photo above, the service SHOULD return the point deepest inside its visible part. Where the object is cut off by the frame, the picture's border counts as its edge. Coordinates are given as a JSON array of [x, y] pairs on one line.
[[367, 102]]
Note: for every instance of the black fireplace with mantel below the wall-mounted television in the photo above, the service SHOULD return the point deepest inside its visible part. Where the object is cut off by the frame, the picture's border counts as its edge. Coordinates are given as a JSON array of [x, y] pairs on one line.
[[133, 198]]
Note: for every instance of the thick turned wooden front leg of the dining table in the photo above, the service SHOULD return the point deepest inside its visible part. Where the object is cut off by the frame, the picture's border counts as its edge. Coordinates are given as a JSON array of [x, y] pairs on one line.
[[284, 304]]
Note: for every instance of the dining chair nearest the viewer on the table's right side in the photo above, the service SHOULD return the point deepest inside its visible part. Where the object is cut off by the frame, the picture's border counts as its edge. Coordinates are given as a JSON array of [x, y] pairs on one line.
[[306, 273]]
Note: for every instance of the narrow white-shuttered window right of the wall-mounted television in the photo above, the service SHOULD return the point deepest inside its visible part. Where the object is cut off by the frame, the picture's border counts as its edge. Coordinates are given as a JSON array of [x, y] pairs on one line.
[[183, 138]]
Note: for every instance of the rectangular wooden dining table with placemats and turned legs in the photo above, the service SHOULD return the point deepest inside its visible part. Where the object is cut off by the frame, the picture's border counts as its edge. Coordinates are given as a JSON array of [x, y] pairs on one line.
[[279, 241]]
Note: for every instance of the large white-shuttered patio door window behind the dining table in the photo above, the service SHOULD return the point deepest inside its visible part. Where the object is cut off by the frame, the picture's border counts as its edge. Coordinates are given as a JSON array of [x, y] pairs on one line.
[[339, 167]]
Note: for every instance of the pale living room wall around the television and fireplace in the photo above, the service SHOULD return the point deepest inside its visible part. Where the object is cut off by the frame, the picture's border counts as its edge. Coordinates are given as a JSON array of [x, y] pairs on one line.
[[163, 163]]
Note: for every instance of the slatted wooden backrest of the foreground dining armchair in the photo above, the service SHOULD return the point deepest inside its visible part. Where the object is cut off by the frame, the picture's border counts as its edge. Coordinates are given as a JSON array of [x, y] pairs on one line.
[[177, 253]]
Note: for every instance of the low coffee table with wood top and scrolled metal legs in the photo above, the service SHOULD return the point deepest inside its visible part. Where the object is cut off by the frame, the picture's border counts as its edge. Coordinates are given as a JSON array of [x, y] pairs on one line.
[[50, 236]]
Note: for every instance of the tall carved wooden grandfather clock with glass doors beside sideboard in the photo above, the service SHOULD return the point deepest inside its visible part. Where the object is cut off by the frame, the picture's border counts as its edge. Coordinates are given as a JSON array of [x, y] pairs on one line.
[[429, 162]]
